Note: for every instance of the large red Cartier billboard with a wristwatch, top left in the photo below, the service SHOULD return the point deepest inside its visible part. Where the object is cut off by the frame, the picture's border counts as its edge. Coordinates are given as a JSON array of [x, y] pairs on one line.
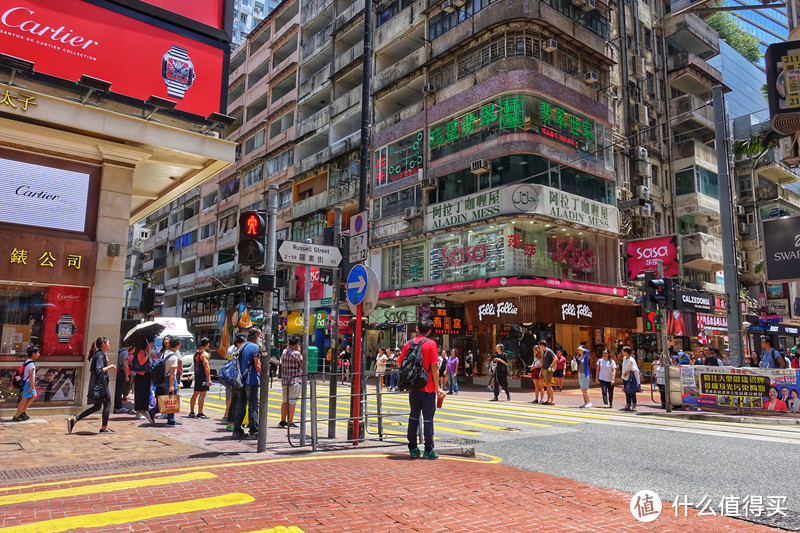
[[69, 38]]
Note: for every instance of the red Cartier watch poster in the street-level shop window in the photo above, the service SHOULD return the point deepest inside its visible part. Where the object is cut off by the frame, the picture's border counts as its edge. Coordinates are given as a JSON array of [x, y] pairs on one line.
[[65, 322]]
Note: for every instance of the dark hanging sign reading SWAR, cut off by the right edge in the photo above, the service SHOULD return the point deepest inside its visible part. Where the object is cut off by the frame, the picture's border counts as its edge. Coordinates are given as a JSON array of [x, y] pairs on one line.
[[782, 248]]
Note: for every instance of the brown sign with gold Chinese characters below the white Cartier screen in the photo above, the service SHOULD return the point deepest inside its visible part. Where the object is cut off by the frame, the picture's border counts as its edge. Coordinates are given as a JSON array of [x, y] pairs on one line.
[[43, 259]]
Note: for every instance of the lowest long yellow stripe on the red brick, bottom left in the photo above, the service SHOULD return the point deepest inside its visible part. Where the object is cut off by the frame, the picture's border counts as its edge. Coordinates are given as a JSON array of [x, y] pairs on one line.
[[125, 516]]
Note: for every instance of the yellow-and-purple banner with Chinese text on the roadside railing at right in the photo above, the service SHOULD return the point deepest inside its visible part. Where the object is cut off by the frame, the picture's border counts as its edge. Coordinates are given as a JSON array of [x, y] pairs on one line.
[[757, 389]]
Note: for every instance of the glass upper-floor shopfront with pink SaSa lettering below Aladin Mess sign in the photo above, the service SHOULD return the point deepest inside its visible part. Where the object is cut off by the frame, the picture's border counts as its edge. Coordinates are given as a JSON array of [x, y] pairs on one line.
[[523, 248]]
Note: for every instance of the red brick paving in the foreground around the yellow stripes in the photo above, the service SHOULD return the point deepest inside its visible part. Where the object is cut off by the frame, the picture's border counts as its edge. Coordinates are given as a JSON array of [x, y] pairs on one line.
[[370, 493]]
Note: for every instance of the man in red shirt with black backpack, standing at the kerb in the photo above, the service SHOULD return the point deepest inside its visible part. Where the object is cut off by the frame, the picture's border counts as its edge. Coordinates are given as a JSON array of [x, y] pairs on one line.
[[422, 399]]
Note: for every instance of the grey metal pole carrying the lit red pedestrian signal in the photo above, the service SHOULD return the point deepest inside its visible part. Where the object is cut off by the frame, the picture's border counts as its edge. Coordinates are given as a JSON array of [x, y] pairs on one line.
[[269, 261]]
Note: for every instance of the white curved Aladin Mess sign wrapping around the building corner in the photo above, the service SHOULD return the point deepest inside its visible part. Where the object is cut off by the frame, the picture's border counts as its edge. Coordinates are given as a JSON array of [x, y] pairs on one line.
[[523, 199]]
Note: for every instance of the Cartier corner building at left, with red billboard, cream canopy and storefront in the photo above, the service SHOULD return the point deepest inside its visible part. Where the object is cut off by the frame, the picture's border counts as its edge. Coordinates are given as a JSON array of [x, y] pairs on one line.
[[88, 148]]
